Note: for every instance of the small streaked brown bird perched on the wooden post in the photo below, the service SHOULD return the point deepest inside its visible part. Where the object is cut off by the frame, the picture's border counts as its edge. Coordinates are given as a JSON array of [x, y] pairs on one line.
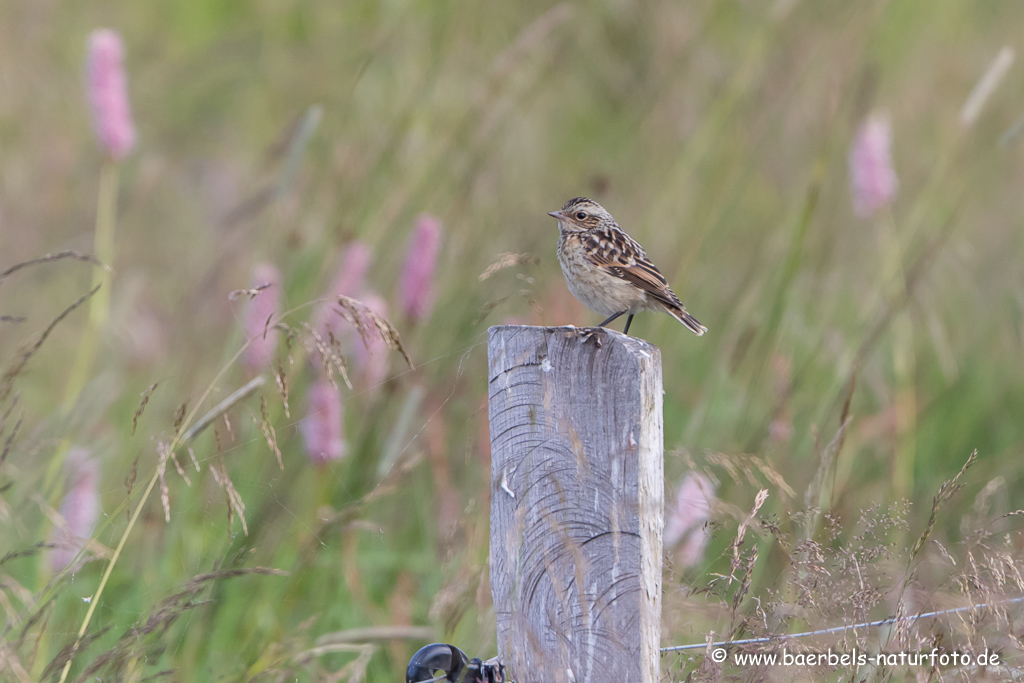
[[608, 271]]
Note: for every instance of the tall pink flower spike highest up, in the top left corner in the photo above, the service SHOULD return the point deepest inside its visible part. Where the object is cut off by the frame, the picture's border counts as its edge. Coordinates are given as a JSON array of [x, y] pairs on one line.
[[108, 90]]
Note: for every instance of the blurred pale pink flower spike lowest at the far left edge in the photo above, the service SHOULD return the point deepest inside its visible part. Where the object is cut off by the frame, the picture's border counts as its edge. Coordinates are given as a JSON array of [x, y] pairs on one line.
[[78, 510]]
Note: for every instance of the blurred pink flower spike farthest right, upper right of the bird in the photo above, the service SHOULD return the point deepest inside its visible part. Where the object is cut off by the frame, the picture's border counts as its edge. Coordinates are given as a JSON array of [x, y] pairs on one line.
[[872, 177]]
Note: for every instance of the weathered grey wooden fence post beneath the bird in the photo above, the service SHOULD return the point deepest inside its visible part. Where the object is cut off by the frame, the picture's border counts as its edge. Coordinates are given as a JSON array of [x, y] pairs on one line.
[[577, 504]]
